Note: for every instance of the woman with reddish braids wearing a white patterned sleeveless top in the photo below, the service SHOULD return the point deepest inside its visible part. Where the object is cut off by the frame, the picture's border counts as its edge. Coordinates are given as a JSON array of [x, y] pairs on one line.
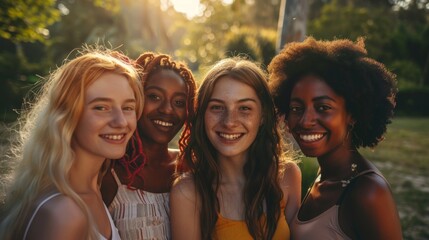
[[138, 185]]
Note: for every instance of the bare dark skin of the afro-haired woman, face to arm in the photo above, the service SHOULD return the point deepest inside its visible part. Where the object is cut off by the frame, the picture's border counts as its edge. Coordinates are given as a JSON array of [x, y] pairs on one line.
[[318, 120]]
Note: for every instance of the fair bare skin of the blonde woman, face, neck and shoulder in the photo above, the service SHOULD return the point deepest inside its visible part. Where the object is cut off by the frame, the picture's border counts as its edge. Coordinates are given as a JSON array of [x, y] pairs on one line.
[[107, 123]]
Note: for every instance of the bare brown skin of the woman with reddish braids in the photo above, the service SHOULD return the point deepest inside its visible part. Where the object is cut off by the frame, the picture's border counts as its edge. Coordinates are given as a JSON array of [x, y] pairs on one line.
[[164, 114]]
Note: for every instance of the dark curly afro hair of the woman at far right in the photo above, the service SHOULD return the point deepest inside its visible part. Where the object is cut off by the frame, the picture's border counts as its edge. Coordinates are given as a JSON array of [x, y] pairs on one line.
[[368, 88]]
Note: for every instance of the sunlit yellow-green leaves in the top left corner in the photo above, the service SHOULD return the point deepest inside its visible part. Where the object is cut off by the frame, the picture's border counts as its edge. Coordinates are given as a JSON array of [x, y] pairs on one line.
[[25, 20]]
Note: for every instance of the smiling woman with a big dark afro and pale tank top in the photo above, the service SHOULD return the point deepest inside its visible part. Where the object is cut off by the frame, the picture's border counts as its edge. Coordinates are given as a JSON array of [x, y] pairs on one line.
[[336, 99]]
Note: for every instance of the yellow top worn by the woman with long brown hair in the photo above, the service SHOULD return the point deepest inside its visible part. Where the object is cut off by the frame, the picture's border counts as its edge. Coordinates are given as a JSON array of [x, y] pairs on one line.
[[227, 229]]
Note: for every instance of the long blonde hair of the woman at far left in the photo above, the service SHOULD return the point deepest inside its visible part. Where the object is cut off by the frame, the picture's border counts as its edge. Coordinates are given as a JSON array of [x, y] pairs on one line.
[[44, 146]]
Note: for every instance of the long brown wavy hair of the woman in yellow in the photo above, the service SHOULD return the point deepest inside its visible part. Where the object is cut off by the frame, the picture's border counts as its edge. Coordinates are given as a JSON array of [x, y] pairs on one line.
[[261, 169]]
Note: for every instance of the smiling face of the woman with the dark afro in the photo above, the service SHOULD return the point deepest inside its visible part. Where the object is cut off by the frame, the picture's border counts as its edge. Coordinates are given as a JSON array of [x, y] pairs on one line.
[[318, 118]]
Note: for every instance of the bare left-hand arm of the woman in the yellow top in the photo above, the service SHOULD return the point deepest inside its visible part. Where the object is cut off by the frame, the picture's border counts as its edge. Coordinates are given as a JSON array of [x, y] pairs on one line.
[[185, 216]]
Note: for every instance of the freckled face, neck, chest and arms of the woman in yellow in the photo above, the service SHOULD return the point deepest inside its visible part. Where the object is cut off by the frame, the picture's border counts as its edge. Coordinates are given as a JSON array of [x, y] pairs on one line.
[[232, 120]]
